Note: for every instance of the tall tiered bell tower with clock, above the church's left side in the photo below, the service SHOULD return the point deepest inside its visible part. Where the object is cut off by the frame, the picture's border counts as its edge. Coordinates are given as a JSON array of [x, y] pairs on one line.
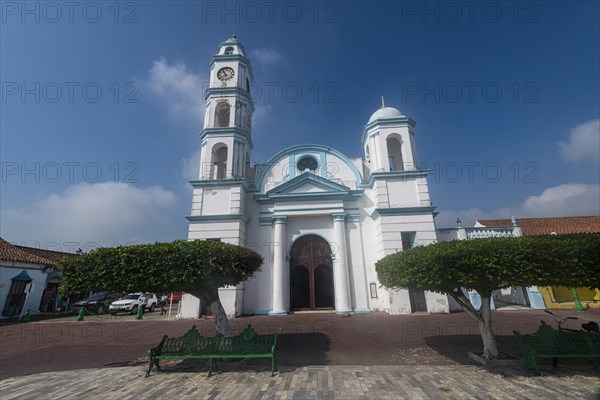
[[226, 137]]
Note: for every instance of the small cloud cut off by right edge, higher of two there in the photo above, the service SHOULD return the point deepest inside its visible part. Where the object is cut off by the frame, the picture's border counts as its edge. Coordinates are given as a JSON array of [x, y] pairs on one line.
[[583, 144]]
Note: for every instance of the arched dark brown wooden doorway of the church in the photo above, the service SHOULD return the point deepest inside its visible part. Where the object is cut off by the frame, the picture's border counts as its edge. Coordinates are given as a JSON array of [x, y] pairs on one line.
[[311, 274]]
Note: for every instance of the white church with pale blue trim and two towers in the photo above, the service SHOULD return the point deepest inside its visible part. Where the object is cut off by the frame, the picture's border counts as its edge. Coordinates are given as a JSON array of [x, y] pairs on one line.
[[320, 219]]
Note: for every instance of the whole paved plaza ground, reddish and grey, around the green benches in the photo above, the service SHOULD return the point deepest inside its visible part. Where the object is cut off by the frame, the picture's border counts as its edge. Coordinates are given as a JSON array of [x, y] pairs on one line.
[[367, 356]]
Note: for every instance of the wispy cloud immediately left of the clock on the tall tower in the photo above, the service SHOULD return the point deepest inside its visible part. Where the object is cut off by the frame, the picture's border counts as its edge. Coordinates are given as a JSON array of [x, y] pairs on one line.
[[179, 88]]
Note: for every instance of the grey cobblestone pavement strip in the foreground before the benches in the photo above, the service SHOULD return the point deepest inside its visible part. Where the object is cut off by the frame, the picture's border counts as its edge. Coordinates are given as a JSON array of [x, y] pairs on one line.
[[185, 381]]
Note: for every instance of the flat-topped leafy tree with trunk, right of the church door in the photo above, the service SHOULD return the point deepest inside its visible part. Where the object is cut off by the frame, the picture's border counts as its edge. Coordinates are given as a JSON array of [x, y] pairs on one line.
[[485, 265]]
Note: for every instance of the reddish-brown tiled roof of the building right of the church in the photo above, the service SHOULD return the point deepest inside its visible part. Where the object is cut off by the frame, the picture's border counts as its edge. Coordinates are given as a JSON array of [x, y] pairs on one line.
[[545, 226]]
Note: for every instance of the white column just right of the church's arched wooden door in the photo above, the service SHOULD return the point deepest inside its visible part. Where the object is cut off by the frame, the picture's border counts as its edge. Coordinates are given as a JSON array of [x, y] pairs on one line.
[[341, 284]]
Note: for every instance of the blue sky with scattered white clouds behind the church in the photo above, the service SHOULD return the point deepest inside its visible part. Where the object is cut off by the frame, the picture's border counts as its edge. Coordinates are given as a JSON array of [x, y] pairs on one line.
[[101, 104]]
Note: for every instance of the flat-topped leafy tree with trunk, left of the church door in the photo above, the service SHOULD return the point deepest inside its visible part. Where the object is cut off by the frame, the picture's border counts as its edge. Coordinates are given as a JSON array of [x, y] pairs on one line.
[[197, 267]]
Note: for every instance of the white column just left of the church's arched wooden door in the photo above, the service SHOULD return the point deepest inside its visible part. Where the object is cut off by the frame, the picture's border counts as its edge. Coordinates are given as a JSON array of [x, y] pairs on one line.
[[279, 306]]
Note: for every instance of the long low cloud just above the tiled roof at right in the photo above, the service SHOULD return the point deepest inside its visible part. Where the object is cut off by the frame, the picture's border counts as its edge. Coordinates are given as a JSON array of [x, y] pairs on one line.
[[571, 199]]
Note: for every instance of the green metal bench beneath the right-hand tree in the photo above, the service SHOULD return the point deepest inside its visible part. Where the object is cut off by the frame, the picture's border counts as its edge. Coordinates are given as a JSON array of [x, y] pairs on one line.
[[548, 342]]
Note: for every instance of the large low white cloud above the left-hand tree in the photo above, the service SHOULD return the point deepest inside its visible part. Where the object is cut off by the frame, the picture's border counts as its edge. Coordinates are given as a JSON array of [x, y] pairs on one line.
[[104, 214]]
